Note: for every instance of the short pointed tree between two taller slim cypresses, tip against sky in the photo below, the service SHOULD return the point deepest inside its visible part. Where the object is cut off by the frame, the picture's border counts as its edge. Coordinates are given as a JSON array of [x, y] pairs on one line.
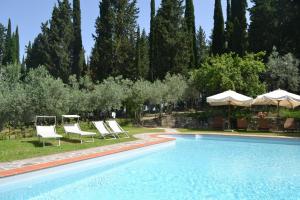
[[202, 47]]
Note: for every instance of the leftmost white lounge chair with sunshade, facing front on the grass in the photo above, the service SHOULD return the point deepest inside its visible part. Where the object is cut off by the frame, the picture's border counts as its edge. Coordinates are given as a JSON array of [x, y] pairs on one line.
[[47, 132]]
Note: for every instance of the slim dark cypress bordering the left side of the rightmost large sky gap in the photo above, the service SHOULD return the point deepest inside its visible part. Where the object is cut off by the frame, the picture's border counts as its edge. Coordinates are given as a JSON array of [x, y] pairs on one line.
[[190, 22]]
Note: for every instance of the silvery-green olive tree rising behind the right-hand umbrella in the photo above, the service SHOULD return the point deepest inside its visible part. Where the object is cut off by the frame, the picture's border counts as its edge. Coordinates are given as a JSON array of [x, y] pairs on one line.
[[283, 72]]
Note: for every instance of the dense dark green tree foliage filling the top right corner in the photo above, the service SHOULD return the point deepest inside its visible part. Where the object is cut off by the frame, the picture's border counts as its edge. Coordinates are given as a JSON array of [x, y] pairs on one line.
[[275, 23]]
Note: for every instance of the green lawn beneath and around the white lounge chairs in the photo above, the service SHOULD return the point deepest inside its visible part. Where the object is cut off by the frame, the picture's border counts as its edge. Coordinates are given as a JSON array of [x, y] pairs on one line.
[[16, 149]]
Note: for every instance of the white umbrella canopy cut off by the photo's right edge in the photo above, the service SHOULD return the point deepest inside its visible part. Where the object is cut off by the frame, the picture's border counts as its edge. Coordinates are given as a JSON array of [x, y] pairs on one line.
[[278, 98]]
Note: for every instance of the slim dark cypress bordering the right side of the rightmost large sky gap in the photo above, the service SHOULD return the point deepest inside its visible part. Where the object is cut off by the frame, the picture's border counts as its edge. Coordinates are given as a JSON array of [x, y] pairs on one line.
[[218, 36]]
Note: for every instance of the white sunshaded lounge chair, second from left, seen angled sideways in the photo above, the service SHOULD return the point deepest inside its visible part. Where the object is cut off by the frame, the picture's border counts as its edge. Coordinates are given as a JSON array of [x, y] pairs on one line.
[[74, 128]]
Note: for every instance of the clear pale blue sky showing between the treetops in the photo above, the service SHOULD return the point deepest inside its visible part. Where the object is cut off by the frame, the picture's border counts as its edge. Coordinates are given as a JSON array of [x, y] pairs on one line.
[[29, 14]]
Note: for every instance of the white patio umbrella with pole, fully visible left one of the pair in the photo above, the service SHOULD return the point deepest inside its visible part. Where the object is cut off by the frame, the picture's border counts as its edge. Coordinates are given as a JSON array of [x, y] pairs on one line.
[[229, 98]]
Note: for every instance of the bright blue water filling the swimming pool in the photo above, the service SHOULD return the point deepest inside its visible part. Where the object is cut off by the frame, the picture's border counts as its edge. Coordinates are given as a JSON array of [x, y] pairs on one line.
[[192, 168]]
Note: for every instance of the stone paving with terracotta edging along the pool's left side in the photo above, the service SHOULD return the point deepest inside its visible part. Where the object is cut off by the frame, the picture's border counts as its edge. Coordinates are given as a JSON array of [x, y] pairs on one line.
[[32, 164]]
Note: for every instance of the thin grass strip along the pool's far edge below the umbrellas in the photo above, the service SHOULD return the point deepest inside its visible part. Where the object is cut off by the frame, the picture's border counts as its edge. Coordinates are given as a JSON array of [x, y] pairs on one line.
[[262, 133]]
